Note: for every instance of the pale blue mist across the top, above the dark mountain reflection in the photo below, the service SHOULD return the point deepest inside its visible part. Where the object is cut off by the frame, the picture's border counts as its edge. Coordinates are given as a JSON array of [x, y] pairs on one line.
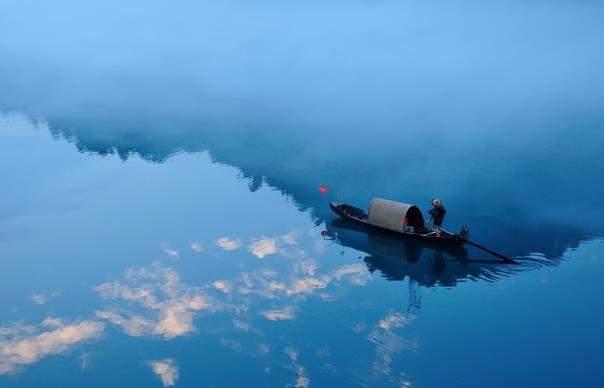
[[352, 63]]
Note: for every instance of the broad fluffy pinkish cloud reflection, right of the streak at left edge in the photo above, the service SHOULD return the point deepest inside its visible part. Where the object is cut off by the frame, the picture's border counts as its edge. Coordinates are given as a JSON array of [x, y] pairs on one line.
[[157, 302]]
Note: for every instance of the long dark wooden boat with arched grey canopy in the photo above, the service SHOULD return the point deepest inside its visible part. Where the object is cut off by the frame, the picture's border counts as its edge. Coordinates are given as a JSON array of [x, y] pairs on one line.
[[397, 217]]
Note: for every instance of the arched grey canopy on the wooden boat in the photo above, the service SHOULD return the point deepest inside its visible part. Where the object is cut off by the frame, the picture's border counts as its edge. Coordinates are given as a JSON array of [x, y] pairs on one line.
[[394, 215]]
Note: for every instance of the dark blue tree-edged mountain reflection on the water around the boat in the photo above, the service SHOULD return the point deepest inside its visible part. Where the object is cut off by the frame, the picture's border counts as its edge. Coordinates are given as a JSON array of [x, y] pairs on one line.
[[519, 225]]
